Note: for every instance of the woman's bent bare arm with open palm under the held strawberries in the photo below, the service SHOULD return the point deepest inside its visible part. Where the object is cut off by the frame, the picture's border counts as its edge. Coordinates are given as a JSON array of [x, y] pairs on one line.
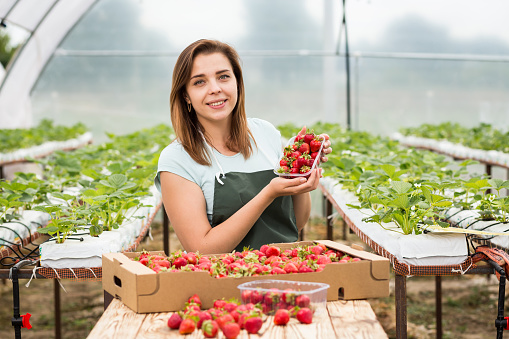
[[186, 208]]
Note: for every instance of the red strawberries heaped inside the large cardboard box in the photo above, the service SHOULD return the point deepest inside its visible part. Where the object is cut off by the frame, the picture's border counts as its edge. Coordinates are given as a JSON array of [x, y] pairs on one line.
[[269, 260]]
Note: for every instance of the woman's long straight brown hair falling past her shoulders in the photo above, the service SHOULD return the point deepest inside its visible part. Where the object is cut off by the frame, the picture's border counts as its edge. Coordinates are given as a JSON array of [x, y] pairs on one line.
[[186, 125]]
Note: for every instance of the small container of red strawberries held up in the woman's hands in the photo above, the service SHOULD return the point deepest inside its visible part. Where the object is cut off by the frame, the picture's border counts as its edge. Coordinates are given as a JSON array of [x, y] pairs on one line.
[[301, 156]]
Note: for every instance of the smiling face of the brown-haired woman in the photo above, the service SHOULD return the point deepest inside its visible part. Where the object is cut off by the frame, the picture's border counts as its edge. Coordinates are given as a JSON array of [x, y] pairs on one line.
[[212, 88]]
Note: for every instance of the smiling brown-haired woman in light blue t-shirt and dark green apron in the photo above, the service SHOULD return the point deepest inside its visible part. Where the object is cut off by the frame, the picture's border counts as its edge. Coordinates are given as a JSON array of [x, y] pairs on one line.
[[216, 177]]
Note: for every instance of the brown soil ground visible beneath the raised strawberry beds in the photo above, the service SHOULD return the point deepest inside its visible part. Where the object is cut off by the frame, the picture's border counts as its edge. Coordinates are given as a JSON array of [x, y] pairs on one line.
[[469, 303]]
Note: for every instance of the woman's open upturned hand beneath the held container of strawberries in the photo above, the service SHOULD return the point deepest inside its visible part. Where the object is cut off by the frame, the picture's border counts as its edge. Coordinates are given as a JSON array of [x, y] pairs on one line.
[[283, 186]]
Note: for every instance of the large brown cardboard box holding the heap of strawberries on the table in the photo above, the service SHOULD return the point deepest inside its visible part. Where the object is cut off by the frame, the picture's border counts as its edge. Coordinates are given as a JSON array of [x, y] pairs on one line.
[[144, 291]]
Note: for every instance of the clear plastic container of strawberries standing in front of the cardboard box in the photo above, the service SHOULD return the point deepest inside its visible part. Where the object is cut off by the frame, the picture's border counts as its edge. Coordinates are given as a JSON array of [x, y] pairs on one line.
[[276, 294]]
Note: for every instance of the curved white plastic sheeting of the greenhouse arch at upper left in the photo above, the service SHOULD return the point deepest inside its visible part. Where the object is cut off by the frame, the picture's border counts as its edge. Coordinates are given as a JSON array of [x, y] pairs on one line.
[[48, 22]]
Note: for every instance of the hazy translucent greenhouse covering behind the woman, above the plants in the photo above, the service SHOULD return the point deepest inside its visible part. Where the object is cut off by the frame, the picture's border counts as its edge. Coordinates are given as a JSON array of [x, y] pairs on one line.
[[108, 63]]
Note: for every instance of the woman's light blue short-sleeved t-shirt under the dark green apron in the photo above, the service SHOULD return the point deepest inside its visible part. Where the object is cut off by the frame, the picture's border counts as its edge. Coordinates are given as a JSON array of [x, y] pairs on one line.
[[175, 159]]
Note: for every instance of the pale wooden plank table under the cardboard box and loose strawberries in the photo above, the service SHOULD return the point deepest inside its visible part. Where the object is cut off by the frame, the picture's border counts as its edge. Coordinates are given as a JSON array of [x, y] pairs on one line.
[[344, 319]]
